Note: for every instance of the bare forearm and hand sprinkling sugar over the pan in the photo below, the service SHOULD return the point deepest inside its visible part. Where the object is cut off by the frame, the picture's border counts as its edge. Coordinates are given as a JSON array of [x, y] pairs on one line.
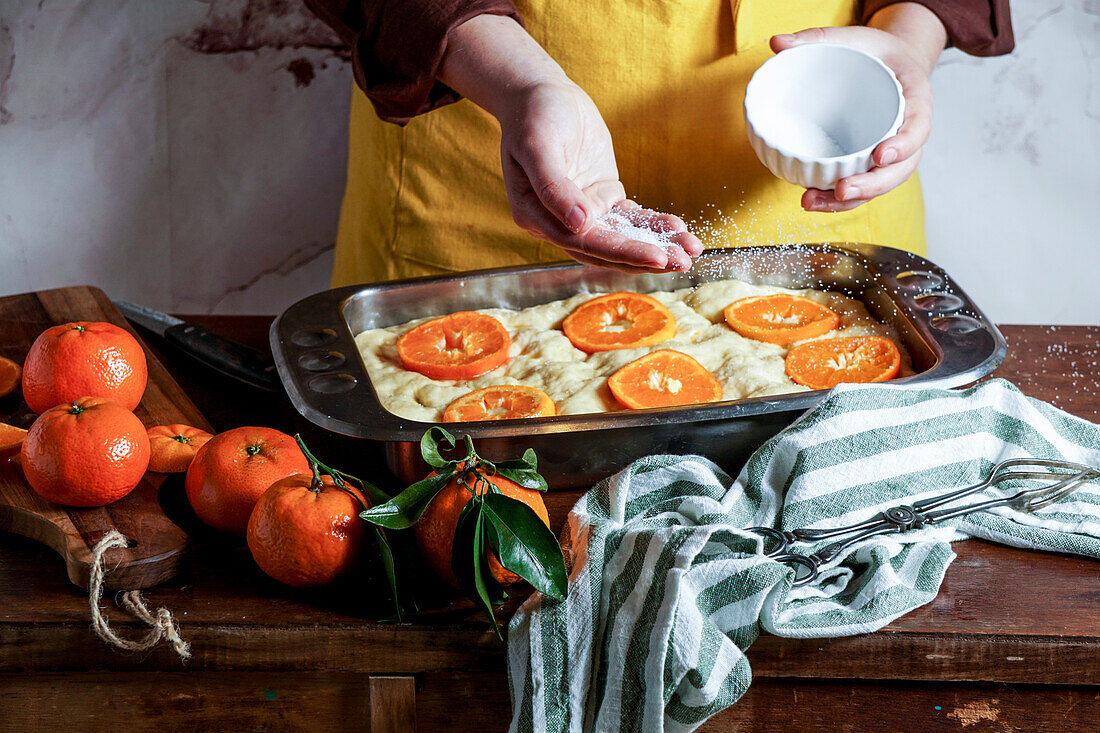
[[556, 151]]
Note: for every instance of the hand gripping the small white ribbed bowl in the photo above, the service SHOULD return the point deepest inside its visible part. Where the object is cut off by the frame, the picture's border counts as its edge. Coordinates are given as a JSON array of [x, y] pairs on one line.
[[909, 43]]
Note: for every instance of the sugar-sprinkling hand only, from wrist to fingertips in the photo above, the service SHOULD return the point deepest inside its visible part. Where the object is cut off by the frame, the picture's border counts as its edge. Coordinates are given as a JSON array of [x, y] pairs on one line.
[[560, 176]]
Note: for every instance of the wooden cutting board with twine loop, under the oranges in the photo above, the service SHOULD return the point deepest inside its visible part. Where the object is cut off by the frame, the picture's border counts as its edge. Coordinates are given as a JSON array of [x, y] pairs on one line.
[[159, 549]]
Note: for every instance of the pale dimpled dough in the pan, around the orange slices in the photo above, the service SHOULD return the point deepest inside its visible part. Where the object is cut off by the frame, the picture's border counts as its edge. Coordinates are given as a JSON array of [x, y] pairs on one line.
[[543, 357]]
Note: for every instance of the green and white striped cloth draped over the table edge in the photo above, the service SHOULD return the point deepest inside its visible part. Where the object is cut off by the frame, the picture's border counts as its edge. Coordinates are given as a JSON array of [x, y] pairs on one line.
[[667, 590]]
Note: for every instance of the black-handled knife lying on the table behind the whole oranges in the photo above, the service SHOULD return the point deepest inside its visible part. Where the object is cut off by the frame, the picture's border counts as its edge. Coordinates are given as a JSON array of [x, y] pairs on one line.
[[241, 363]]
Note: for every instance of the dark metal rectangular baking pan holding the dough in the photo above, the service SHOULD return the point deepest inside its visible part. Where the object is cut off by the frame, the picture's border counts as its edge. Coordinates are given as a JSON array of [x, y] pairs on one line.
[[949, 338]]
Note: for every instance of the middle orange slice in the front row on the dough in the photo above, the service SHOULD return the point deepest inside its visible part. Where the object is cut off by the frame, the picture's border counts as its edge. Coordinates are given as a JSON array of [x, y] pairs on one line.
[[663, 379]]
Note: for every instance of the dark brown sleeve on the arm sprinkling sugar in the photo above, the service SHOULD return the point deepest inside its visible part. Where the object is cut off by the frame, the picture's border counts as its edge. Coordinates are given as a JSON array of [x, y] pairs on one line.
[[398, 47]]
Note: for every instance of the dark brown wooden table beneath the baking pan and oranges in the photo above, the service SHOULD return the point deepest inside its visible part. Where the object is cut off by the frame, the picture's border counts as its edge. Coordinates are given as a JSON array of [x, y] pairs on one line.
[[1013, 642]]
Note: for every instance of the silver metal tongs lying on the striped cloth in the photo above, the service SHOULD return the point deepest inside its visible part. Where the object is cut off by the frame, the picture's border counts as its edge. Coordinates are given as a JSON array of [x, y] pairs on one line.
[[923, 513]]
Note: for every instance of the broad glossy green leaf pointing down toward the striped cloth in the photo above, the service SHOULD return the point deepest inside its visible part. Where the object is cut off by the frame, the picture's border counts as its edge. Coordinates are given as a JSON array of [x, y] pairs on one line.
[[525, 545]]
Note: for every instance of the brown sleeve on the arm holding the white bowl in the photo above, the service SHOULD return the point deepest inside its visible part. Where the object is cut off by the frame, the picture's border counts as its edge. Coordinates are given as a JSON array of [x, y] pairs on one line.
[[981, 28]]
